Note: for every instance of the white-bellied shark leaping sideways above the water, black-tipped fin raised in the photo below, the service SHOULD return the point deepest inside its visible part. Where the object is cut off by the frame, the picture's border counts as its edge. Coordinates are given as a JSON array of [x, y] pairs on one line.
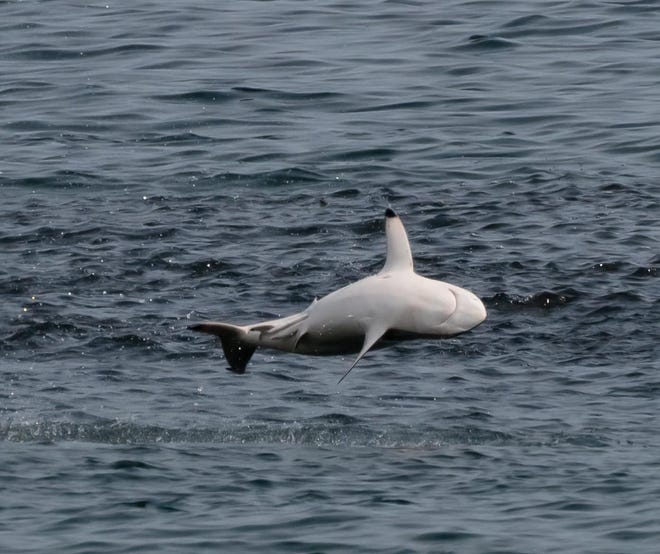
[[394, 304]]
